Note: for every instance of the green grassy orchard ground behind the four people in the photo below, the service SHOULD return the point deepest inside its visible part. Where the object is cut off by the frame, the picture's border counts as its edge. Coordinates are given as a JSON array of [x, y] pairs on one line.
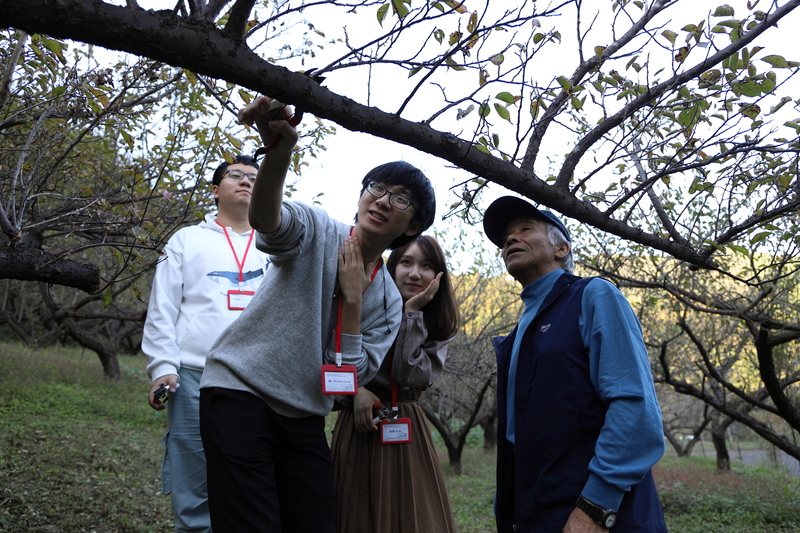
[[78, 453]]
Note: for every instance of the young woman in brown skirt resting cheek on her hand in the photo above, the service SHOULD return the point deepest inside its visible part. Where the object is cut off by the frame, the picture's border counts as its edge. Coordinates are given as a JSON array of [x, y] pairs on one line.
[[399, 487]]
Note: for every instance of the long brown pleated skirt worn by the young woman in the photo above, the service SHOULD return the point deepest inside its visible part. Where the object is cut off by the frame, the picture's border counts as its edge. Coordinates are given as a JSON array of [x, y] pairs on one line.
[[389, 488]]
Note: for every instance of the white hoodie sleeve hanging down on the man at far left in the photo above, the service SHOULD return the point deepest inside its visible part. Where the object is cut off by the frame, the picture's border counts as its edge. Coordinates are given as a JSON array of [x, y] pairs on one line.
[[159, 338]]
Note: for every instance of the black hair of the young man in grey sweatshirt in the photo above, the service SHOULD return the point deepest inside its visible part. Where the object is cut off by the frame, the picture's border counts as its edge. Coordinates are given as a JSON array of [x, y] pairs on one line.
[[402, 174]]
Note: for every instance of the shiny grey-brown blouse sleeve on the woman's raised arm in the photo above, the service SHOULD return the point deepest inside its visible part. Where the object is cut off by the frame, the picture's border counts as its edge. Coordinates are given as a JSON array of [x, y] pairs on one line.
[[417, 361]]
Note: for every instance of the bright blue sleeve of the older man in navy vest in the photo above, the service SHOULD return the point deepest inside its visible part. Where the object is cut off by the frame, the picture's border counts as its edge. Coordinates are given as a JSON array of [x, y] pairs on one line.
[[631, 440]]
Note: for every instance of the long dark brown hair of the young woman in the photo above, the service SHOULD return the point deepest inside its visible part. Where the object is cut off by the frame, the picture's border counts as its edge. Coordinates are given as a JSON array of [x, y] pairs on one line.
[[441, 313]]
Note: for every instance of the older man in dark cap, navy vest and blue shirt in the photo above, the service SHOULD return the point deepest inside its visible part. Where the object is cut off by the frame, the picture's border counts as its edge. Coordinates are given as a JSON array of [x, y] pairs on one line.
[[579, 421]]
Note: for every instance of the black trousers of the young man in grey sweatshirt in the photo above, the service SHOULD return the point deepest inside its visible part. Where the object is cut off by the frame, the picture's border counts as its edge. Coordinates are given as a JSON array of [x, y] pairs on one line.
[[266, 472]]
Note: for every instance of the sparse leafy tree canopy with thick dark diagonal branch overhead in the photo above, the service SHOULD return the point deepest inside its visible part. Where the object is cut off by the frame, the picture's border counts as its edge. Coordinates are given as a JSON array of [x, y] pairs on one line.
[[659, 120]]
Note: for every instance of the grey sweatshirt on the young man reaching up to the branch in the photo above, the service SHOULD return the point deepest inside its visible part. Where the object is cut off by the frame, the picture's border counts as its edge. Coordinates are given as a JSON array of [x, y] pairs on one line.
[[276, 348]]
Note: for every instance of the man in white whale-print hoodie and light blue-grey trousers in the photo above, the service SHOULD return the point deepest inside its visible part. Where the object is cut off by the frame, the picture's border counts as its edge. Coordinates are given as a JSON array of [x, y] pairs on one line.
[[207, 277]]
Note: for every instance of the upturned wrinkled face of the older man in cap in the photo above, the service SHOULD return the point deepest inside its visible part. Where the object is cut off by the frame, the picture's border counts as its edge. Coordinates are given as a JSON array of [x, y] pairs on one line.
[[528, 252]]
